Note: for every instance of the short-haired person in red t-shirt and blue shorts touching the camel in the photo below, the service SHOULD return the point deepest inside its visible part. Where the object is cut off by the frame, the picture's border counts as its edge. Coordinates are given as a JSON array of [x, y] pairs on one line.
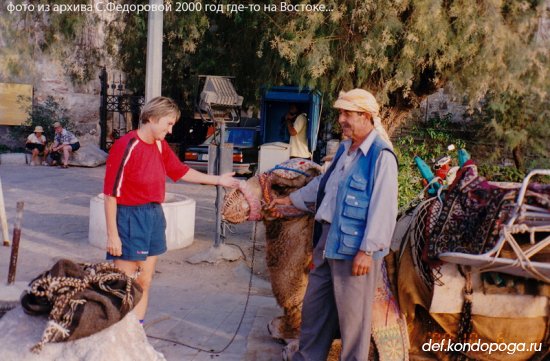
[[134, 188]]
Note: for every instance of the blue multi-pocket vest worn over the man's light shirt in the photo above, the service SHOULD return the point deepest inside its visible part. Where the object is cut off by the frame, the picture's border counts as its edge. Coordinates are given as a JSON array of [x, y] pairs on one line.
[[352, 204]]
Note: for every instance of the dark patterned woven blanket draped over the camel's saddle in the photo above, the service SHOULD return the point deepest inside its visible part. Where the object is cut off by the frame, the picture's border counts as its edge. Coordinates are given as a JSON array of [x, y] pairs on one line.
[[471, 216]]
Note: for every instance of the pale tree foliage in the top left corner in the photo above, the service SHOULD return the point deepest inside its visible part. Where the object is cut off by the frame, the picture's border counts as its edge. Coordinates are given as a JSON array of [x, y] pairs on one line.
[[68, 37]]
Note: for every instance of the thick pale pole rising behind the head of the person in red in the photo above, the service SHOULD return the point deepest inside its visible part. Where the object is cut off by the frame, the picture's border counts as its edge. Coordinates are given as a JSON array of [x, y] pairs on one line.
[[153, 74]]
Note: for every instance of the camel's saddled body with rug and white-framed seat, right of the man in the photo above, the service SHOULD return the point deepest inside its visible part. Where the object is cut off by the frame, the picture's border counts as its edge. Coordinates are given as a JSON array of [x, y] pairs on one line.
[[474, 266]]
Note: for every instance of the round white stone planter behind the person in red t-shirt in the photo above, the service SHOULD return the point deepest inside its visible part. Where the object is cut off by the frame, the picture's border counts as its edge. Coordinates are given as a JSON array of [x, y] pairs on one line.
[[179, 211]]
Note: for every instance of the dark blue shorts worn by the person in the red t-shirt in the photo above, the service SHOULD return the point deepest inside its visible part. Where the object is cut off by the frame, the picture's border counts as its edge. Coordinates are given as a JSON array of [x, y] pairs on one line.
[[142, 230]]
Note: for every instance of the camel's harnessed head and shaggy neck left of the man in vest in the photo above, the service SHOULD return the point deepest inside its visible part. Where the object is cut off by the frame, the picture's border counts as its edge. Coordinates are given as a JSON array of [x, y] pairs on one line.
[[288, 239]]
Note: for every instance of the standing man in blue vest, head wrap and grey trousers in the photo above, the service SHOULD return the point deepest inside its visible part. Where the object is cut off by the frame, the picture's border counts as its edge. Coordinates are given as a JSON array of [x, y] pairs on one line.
[[356, 210]]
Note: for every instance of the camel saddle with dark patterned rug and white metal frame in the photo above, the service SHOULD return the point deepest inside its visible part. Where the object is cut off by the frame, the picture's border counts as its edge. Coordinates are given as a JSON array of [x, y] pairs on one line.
[[495, 226]]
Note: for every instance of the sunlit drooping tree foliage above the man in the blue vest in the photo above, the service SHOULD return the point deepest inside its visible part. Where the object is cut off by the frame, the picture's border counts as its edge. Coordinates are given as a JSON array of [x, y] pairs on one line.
[[403, 50]]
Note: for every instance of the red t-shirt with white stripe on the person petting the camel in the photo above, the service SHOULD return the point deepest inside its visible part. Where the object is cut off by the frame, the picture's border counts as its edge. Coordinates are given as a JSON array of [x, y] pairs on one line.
[[136, 171]]
